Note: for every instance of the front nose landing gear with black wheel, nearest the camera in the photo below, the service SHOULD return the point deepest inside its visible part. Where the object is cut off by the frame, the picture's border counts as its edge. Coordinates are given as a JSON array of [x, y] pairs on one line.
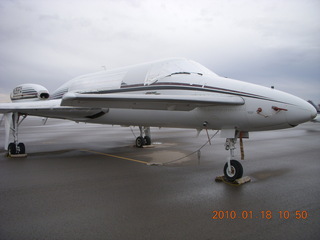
[[232, 169]]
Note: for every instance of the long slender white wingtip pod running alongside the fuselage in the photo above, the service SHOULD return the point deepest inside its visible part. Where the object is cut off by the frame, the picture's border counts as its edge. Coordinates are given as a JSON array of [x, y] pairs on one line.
[[148, 101]]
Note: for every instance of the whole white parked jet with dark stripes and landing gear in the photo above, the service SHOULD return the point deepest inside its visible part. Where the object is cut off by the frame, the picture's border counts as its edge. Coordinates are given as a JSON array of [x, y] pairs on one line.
[[177, 93]]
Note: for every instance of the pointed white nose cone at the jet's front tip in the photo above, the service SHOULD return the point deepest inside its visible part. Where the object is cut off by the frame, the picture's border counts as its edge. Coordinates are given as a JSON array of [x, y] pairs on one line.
[[299, 112]]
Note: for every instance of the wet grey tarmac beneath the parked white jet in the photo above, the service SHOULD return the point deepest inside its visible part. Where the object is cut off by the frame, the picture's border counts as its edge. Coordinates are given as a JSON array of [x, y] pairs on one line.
[[83, 181]]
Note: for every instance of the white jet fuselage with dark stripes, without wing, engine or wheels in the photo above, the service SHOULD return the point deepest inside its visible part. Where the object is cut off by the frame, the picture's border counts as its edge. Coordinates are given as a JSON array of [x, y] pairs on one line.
[[263, 109]]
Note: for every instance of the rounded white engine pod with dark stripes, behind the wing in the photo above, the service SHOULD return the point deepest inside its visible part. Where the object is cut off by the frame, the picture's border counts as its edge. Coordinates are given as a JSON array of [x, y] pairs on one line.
[[29, 92]]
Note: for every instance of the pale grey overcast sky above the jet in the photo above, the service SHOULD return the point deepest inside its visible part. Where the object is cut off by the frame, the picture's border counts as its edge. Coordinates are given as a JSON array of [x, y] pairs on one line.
[[267, 42]]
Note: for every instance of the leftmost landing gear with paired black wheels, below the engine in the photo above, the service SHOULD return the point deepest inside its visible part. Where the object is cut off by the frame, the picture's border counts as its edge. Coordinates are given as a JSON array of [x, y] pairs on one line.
[[16, 148]]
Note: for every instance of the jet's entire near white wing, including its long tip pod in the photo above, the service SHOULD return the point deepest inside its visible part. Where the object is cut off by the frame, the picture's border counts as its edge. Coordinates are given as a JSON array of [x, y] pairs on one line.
[[77, 106]]
